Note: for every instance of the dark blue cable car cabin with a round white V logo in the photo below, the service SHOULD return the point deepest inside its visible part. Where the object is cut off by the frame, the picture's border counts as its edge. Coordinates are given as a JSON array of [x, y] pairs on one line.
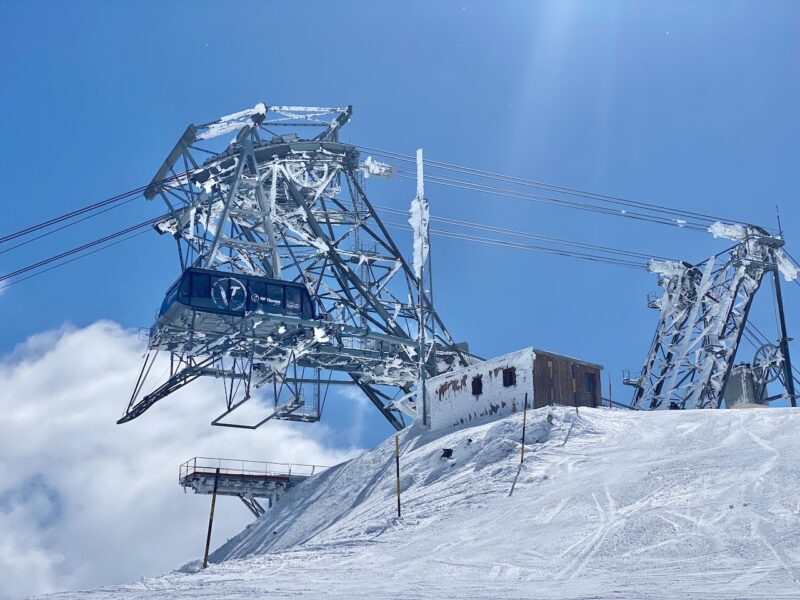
[[210, 302]]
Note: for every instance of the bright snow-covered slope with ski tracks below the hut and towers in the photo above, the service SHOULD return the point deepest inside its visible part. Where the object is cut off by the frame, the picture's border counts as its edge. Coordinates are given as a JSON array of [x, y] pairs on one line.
[[609, 504]]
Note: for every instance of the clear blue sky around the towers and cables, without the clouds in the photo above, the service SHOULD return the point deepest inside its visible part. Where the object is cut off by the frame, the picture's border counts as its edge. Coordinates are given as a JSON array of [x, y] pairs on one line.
[[694, 105]]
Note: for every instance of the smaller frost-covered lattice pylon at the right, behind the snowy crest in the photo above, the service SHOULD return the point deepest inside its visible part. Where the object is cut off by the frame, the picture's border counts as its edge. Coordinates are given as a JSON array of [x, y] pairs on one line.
[[704, 311]]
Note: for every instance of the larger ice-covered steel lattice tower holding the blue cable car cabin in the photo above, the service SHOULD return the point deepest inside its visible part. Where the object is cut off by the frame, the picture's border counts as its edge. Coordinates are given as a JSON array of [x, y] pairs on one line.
[[265, 204]]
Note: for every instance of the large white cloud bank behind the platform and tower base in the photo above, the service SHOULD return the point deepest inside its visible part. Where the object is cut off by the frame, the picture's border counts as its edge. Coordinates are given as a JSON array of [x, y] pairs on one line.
[[86, 502]]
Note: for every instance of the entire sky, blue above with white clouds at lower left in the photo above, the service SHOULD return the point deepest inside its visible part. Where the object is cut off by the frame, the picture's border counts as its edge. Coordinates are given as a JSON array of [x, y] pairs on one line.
[[687, 104]]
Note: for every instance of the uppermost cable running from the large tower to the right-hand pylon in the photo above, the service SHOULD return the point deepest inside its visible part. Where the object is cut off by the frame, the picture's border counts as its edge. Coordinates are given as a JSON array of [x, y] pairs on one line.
[[548, 186]]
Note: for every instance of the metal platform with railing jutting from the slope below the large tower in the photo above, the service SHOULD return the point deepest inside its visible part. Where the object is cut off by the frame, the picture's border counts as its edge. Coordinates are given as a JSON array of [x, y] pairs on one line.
[[245, 479]]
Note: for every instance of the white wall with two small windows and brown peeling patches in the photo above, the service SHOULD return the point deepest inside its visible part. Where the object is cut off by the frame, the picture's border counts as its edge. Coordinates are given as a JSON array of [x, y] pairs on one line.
[[450, 399]]
